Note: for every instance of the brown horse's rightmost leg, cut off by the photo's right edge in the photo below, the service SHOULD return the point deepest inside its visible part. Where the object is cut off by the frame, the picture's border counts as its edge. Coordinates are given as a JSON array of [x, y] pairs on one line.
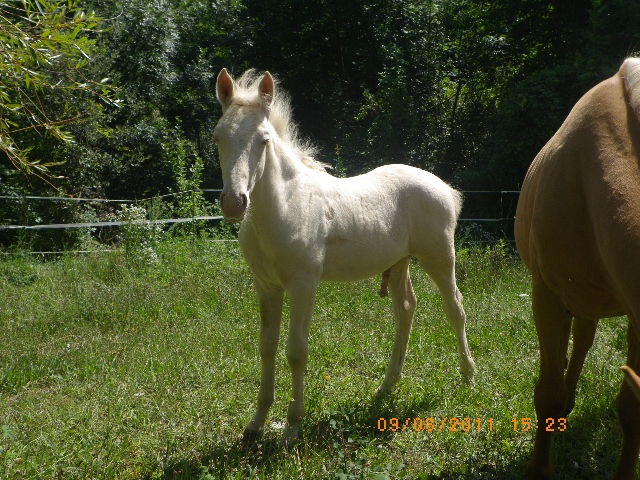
[[628, 410]]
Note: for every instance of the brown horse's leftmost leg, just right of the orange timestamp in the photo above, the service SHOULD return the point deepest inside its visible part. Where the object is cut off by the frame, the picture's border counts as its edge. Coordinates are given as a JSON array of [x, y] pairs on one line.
[[553, 325]]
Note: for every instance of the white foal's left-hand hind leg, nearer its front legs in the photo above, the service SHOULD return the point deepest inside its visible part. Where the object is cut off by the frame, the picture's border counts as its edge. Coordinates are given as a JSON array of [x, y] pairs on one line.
[[404, 306]]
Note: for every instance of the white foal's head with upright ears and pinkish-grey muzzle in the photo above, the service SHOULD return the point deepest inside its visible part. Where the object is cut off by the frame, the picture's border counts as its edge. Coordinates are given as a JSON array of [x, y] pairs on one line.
[[242, 135]]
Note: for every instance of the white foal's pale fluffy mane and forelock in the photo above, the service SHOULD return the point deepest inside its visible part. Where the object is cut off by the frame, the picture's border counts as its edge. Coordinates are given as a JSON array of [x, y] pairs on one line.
[[245, 92]]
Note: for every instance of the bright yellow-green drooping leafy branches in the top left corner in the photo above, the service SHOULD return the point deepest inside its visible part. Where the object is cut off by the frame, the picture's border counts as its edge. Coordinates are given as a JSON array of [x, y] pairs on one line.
[[45, 47]]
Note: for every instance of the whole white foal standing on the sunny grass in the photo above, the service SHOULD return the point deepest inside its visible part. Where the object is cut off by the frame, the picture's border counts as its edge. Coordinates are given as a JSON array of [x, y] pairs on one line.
[[301, 225]]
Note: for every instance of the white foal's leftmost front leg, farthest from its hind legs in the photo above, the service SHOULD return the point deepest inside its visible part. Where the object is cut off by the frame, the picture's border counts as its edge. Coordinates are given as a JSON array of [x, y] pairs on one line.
[[270, 299]]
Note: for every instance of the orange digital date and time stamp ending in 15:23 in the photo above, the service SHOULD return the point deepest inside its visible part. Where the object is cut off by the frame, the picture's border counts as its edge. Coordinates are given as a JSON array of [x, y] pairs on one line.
[[466, 424]]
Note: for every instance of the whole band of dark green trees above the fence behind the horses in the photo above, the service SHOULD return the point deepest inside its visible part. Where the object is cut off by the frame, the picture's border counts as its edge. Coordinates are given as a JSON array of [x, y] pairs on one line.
[[470, 89]]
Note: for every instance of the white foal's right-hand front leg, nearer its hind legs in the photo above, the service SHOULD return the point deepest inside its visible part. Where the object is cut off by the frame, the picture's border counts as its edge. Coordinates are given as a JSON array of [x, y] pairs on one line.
[[301, 294]]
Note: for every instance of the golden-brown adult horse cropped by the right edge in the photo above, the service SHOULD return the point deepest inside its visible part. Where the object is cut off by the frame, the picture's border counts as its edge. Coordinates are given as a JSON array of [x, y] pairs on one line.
[[578, 231]]
